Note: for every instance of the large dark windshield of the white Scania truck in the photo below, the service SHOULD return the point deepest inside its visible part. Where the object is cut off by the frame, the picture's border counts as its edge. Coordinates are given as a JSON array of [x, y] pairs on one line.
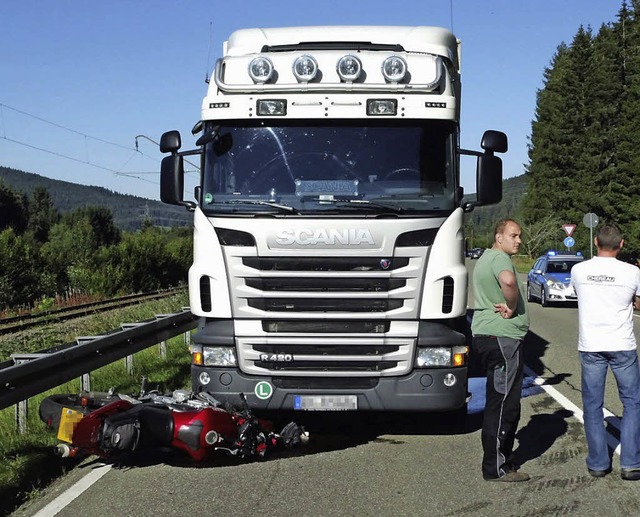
[[349, 168]]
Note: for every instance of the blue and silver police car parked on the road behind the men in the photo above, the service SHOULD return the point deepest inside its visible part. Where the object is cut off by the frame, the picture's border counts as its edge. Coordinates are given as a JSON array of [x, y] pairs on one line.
[[548, 280]]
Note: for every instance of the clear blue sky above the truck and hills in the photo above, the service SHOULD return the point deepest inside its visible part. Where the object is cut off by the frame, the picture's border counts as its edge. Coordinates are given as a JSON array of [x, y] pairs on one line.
[[81, 83]]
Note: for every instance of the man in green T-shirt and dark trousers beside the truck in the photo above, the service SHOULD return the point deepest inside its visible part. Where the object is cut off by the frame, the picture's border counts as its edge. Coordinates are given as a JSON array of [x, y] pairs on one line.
[[500, 322]]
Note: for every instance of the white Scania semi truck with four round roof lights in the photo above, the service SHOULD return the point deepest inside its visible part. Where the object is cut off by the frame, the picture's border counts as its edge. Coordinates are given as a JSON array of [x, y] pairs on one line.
[[328, 267]]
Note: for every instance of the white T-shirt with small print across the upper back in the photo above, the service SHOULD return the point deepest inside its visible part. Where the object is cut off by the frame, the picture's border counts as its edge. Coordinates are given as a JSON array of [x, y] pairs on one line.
[[606, 289]]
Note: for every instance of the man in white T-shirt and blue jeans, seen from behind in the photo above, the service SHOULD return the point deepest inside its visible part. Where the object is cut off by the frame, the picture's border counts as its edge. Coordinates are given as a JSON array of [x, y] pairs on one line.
[[608, 289]]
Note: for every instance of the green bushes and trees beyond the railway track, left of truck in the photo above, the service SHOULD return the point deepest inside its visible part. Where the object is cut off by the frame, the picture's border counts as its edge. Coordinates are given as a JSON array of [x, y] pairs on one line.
[[45, 254]]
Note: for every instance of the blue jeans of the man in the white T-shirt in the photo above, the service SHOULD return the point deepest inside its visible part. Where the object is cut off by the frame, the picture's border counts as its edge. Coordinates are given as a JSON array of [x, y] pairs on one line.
[[624, 366]]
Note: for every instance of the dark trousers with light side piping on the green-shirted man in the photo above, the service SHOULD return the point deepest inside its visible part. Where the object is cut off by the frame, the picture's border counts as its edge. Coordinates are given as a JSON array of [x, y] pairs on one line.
[[502, 359]]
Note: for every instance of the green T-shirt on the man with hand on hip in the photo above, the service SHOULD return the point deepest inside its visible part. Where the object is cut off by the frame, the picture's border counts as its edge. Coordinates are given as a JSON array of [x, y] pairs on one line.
[[487, 291]]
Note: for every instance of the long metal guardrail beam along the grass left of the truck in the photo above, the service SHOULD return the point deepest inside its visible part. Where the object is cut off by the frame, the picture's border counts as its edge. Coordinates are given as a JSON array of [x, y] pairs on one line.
[[26, 375]]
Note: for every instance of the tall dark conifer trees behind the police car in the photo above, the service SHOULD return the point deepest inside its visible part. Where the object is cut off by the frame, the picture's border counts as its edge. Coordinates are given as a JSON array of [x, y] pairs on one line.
[[584, 152]]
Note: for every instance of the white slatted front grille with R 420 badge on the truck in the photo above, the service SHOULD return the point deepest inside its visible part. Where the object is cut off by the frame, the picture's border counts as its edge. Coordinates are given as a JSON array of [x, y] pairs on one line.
[[347, 316]]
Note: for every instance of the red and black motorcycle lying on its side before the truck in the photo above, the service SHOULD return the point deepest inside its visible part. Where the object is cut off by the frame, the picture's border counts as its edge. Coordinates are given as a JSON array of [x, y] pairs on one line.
[[108, 424]]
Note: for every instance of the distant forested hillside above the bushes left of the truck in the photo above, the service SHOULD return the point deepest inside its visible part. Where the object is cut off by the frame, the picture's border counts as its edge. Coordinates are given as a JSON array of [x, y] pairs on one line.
[[128, 211]]
